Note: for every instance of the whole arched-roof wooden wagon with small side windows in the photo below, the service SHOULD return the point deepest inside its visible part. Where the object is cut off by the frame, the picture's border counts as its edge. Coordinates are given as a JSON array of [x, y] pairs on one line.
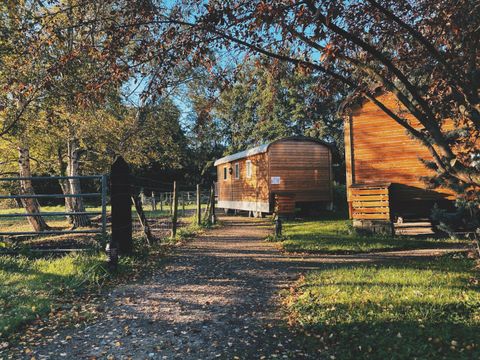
[[276, 177]]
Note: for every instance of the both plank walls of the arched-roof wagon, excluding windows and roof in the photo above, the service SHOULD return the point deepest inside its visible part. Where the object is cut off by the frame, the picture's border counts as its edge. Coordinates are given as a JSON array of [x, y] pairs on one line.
[[303, 167]]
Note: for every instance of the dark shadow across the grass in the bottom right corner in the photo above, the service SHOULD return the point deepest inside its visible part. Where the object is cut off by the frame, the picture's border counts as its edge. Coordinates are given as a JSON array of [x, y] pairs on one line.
[[396, 340]]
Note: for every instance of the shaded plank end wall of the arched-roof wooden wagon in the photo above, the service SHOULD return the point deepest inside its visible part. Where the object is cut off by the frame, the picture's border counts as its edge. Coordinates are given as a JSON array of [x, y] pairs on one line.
[[304, 167]]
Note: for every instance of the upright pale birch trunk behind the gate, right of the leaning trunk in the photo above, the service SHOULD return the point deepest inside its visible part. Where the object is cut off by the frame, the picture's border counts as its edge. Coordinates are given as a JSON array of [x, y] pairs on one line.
[[74, 188]]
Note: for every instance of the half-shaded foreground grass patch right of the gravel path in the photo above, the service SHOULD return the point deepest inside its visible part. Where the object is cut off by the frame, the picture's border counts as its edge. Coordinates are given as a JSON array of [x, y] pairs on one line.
[[416, 309]]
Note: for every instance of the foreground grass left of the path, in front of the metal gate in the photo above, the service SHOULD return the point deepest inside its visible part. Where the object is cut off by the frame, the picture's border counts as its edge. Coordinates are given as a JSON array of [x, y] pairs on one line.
[[31, 287]]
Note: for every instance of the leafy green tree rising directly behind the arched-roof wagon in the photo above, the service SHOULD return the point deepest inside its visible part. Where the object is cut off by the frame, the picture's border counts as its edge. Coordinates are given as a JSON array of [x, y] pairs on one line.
[[271, 99]]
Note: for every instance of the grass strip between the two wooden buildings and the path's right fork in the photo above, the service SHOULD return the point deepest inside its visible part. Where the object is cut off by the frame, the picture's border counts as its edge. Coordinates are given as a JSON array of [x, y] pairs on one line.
[[336, 237]]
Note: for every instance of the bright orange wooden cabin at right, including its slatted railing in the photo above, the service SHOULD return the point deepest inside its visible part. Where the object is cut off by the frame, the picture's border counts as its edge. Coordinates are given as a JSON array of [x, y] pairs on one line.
[[384, 170]]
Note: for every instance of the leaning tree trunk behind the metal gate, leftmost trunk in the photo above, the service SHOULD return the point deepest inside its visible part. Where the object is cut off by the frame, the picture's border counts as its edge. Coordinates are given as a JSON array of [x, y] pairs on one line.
[[31, 205]]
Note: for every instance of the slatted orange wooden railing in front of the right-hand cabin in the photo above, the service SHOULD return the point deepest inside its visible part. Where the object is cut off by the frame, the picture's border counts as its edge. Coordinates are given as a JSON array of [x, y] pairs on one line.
[[370, 202]]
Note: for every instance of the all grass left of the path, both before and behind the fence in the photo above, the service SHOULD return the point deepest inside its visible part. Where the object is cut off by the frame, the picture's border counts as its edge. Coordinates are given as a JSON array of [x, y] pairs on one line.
[[31, 286]]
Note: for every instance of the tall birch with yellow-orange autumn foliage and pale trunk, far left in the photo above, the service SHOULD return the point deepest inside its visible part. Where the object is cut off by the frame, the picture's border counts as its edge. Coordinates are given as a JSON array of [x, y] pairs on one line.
[[65, 53]]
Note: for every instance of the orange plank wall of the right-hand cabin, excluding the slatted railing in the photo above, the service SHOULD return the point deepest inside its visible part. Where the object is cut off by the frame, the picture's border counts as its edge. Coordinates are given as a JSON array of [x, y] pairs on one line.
[[377, 149]]
